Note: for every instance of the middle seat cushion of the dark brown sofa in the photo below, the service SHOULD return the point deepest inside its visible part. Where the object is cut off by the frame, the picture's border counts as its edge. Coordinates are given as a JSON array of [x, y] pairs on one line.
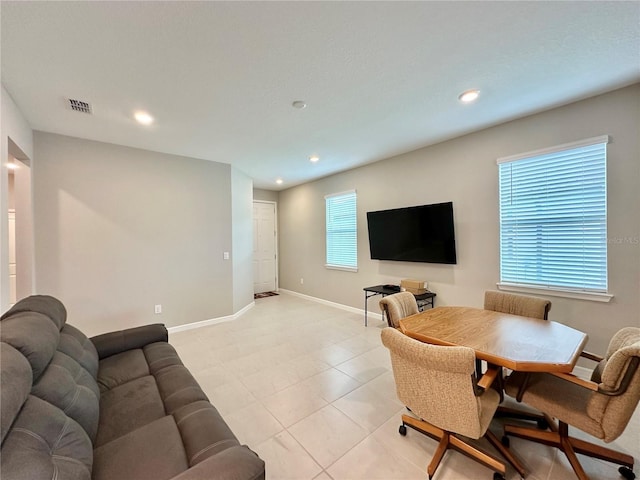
[[127, 407]]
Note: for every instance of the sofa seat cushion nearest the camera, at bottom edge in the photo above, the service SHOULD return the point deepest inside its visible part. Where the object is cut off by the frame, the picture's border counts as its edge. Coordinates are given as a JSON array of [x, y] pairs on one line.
[[152, 452]]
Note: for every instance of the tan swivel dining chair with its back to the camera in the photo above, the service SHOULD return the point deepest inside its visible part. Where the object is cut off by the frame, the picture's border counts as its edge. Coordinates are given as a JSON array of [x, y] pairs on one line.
[[439, 386]]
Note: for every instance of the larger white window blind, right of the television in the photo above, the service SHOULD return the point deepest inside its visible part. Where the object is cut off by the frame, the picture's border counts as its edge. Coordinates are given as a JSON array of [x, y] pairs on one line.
[[553, 217]]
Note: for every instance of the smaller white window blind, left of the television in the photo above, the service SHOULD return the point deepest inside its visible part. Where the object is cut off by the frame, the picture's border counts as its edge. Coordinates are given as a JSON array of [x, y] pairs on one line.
[[342, 235]]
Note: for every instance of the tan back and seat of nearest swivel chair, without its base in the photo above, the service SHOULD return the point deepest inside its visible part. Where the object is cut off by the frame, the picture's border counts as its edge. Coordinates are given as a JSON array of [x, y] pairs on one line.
[[436, 383]]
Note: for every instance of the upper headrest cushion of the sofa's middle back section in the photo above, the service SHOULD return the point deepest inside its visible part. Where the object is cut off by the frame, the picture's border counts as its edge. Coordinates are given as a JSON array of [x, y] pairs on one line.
[[33, 335]]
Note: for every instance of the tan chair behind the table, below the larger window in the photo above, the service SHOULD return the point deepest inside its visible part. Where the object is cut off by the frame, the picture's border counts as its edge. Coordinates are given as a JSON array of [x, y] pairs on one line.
[[524, 306]]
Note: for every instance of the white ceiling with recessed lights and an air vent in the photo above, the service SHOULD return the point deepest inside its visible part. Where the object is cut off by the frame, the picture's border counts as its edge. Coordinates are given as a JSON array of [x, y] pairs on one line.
[[379, 78]]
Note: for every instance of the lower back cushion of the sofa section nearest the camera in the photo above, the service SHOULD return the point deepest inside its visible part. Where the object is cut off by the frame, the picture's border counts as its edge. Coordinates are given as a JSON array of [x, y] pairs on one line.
[[45, 443]]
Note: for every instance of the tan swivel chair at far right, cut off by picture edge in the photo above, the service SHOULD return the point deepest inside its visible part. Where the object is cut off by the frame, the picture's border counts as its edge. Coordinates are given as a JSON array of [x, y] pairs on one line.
[[600, 407]]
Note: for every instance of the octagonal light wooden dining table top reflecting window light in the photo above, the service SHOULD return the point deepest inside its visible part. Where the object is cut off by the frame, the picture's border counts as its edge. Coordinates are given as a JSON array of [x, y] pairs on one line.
[[519, 343]]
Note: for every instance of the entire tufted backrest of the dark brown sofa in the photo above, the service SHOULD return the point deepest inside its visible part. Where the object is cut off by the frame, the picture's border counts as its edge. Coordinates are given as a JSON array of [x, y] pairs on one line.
[[49, 393]]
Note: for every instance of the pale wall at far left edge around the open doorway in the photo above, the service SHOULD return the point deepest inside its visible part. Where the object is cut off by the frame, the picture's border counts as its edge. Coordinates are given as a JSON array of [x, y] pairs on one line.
[[14, 132]]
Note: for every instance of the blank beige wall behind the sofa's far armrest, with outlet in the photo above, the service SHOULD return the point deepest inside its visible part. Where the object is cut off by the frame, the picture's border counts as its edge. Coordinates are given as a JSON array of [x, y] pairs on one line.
[[119, 230]]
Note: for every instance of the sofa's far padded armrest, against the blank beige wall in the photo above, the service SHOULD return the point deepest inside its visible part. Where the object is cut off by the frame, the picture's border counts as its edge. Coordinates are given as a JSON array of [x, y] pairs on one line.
[[111, 343]]
